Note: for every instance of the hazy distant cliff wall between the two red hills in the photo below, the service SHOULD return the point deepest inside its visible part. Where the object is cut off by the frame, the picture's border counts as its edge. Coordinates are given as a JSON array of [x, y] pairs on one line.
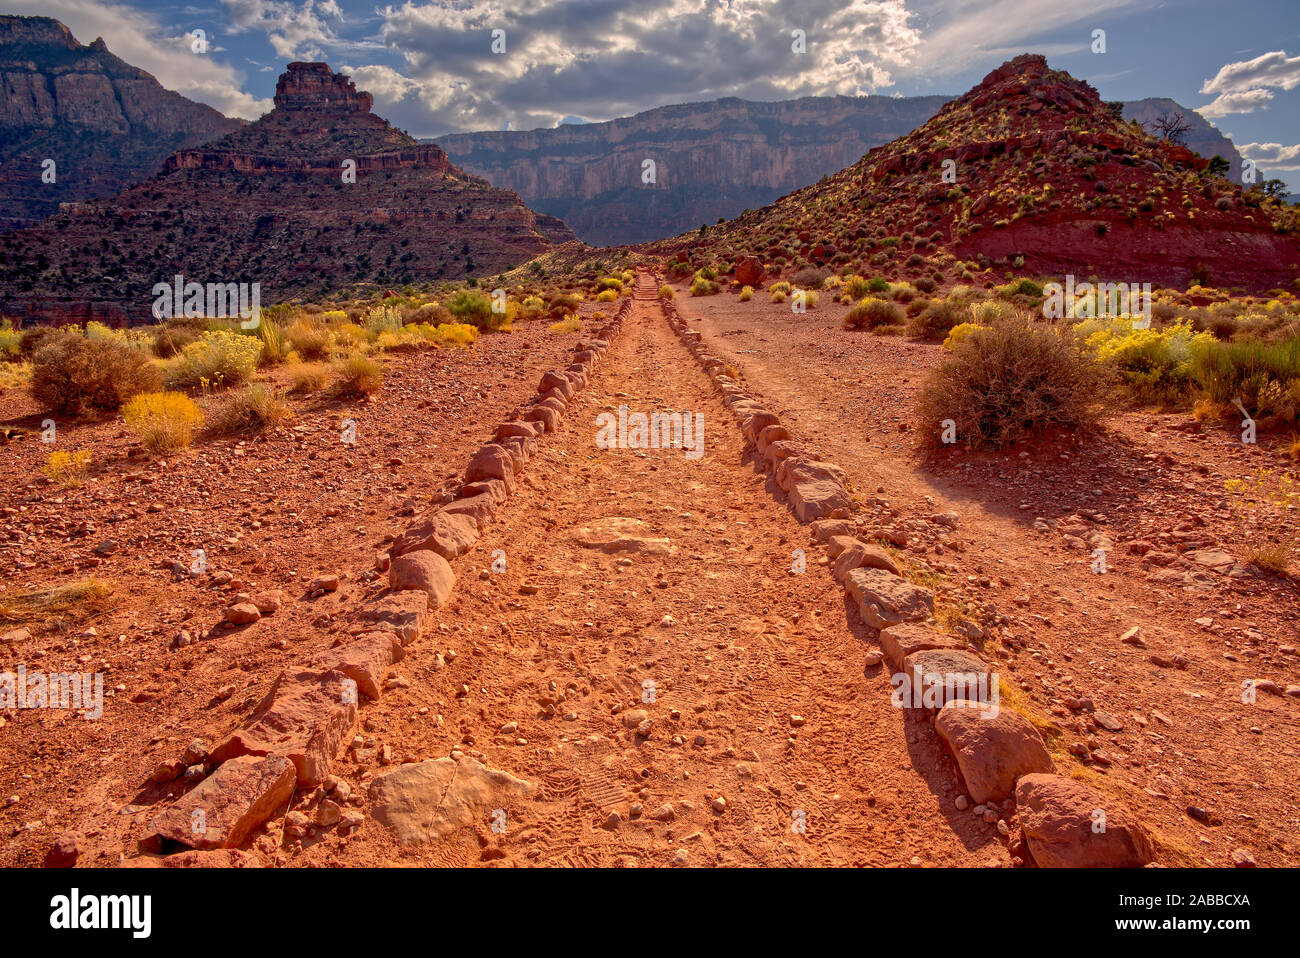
[[710, 159]]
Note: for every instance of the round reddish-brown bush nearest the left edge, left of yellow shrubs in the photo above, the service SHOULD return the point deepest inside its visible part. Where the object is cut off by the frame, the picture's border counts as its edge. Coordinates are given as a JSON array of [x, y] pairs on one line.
[[73, 375]]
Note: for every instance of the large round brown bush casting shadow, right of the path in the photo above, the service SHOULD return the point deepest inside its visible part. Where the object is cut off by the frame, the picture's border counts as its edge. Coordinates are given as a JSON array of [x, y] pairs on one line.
[[1012, 382]]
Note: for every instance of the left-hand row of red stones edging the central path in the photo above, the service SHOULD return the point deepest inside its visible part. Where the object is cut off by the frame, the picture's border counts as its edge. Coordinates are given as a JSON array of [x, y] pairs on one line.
[[310, 716]]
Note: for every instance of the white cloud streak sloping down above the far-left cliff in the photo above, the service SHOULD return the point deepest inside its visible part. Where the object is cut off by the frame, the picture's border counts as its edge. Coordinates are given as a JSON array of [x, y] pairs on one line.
[[141, 41]]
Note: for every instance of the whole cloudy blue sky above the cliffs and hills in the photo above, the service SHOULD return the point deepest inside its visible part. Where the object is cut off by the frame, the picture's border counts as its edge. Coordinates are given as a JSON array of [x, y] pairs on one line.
[[434, 70]]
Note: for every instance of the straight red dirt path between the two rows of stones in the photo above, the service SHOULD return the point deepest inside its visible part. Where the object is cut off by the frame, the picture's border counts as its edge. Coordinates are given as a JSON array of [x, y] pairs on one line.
[[558, 651]]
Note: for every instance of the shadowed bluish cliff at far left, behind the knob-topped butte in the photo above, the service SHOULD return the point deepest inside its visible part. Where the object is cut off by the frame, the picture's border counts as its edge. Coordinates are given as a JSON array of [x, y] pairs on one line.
[[106, 125]]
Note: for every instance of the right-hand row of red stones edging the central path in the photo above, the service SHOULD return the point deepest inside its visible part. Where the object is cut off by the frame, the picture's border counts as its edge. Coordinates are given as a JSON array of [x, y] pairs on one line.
[[1000, 755]]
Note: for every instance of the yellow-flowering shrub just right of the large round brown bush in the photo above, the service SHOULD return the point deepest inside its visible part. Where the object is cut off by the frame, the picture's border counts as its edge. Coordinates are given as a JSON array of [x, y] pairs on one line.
[[1156, 366]]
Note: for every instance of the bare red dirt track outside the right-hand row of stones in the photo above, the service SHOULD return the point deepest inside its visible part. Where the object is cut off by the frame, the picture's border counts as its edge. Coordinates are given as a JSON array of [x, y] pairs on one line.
[[1186, 739]]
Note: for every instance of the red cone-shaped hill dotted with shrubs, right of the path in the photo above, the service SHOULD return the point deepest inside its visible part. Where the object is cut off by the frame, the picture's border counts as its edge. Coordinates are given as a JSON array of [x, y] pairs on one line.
[[1029, 170]]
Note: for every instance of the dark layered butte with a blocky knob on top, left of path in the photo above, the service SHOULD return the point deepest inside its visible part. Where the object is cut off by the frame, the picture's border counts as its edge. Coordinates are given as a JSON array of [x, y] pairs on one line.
[[318, 194]]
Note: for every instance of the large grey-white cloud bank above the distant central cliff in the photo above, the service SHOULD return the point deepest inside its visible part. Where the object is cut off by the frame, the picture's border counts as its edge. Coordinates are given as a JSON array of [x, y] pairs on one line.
[[601, 59]]
